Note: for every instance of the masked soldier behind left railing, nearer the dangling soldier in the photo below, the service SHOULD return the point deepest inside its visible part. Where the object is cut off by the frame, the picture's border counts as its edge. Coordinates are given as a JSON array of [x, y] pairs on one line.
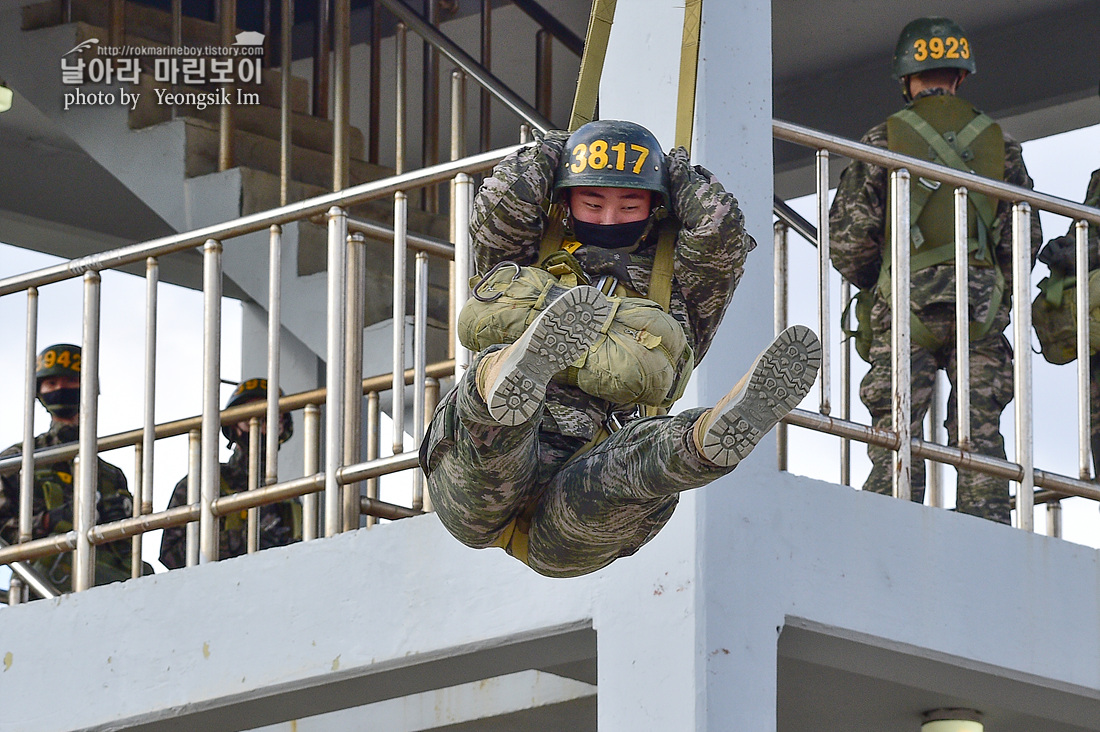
[[280, 523]]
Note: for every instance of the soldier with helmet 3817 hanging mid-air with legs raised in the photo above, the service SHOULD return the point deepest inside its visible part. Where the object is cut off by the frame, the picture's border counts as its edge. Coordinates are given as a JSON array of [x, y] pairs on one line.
[[530, 452]]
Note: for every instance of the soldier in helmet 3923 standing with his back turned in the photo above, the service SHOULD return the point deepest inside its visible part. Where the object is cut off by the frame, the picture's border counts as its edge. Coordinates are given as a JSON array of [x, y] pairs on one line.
[[932, 60]]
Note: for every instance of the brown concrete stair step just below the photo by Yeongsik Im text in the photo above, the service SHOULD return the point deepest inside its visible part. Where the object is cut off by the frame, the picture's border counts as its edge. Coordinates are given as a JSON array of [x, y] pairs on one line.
[[262, 154]]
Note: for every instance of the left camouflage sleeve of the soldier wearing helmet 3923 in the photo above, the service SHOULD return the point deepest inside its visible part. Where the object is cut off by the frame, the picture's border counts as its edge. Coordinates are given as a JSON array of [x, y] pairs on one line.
[[857, 218]]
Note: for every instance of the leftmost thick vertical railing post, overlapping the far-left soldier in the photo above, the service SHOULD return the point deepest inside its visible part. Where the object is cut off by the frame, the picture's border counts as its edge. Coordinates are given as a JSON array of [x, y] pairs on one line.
[[87, 487]]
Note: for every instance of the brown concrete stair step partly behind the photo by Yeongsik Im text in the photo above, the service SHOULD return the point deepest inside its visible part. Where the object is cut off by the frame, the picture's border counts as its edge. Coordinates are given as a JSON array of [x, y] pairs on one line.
[[306, 130]]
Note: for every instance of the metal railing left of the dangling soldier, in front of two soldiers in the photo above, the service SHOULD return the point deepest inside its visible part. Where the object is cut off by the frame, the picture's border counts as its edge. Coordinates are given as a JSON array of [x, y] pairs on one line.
[[343, 469]]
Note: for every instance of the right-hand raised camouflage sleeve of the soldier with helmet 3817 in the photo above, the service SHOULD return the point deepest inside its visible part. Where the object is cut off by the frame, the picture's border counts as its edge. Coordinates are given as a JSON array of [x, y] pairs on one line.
[[711, 248]]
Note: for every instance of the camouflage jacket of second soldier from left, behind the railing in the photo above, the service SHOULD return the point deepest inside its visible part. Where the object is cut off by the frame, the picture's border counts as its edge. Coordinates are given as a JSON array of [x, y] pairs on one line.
[[280, 523]]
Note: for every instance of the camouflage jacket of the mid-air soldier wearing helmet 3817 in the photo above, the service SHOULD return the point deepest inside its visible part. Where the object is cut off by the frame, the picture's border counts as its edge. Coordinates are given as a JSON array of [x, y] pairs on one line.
[[510, 218]]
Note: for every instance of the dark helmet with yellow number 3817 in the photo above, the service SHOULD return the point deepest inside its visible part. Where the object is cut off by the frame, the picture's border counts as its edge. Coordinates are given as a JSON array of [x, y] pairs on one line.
[[613, 155]]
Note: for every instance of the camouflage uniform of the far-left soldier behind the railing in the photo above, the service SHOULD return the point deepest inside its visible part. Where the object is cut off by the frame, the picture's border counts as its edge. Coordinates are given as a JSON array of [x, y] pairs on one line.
[[52, 511]]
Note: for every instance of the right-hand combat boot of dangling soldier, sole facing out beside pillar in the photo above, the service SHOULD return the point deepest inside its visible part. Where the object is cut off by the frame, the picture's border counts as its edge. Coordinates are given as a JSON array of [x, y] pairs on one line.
[[776, 384]]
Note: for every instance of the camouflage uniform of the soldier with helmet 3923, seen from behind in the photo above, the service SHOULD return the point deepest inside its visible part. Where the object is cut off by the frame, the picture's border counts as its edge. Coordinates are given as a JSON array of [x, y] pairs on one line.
[[857, 225]]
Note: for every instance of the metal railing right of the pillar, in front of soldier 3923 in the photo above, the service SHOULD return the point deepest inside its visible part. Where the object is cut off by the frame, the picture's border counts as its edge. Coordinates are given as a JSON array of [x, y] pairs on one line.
[[1024, 201]]
